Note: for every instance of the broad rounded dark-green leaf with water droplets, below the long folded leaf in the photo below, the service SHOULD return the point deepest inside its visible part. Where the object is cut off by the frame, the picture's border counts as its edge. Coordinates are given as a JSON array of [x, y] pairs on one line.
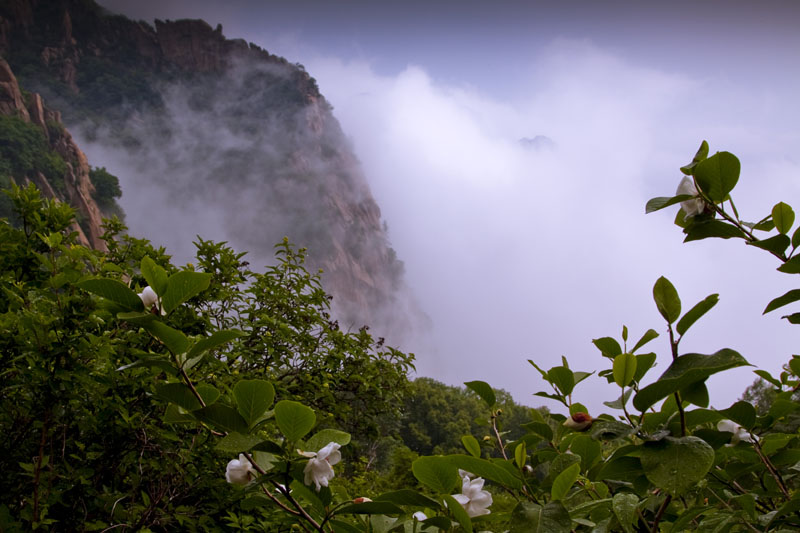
[[676, 464]]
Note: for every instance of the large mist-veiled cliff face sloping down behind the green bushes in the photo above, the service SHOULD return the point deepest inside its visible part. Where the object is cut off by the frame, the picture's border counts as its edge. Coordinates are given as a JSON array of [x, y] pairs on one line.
[[214, 129]]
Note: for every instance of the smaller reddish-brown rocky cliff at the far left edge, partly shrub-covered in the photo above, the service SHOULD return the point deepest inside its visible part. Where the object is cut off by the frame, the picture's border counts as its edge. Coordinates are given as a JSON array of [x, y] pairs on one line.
[[71, 183]]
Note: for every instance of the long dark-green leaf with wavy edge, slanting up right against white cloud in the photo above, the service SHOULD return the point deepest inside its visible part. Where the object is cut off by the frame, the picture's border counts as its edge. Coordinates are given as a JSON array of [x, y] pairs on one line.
[[684, 371]]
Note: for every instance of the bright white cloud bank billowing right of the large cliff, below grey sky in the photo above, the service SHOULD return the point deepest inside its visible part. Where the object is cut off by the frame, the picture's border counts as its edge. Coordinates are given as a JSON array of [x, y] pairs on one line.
[[519, 253]]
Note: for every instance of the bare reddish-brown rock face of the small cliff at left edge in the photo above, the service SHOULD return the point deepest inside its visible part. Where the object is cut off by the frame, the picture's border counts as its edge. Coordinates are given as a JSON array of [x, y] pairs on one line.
[[79, 189]]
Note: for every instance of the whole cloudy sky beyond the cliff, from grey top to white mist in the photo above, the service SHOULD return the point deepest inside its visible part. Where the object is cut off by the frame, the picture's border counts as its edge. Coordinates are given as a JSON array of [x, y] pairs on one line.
[[520, 252]]
